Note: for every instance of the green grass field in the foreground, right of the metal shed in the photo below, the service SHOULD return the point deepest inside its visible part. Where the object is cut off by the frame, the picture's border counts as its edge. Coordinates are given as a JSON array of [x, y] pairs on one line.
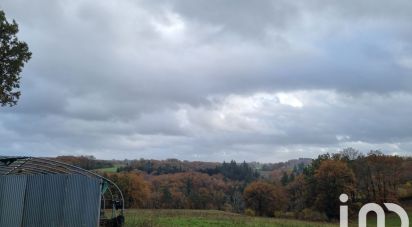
[[205, 218]]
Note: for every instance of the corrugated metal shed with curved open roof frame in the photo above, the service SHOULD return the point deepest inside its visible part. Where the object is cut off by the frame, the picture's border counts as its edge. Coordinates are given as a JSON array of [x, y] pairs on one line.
[[39, 192]]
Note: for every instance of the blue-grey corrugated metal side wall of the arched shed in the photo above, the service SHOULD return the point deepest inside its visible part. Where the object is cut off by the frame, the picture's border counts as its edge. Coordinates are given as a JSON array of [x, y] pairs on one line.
[[49, 200]]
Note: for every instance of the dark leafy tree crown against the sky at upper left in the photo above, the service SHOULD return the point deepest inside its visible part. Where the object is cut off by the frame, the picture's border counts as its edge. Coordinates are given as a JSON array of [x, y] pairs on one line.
[[13, 55]]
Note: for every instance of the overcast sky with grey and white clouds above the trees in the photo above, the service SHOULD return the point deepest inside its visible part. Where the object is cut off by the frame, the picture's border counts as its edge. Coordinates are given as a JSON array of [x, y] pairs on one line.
[[211, 79]]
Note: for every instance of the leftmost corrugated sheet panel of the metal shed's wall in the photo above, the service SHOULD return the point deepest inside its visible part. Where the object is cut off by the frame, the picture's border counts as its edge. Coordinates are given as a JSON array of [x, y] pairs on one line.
[[12, 191]]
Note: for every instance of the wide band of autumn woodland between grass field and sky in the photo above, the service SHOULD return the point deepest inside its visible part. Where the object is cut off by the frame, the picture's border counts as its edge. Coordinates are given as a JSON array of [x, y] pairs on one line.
[[304, 191]]
